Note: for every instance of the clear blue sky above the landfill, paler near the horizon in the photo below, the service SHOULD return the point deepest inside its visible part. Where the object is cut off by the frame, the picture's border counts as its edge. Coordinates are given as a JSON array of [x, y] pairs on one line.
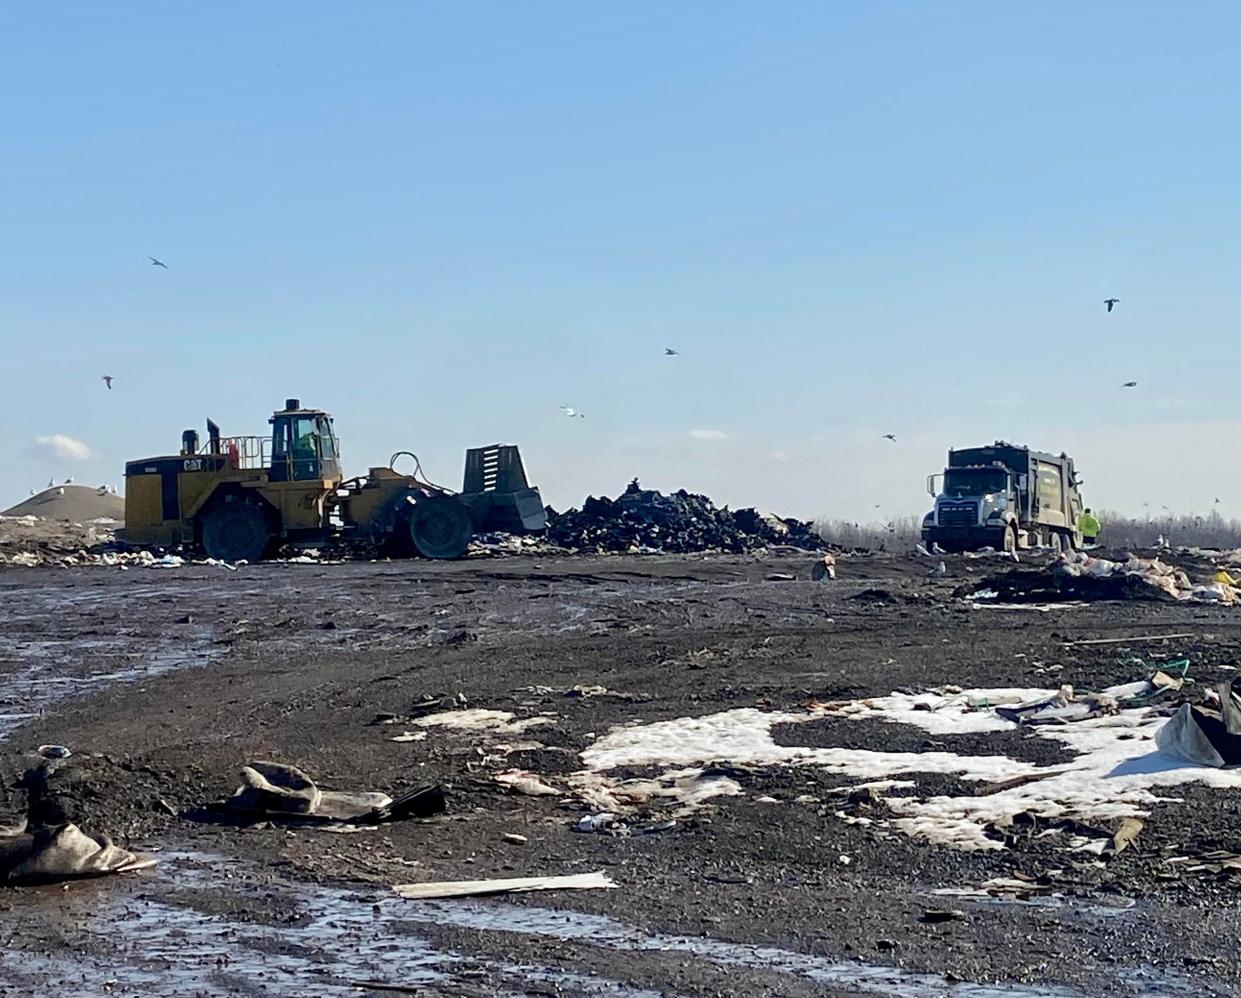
[[444, 222]]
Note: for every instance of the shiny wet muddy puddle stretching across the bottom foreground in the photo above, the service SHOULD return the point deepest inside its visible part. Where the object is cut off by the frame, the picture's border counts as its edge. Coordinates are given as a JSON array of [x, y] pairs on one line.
[[199, 925]]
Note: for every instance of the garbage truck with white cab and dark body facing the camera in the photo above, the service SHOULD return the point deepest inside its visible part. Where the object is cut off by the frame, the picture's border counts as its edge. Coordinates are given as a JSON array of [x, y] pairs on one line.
[[1006, 497]]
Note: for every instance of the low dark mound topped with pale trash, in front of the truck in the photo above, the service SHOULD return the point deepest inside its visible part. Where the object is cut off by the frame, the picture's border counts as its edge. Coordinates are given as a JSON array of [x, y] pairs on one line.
[[1079, 577]]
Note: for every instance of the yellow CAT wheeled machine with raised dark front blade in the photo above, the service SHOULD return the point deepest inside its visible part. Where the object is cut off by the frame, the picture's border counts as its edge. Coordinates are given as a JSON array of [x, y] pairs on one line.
[[239, 498]]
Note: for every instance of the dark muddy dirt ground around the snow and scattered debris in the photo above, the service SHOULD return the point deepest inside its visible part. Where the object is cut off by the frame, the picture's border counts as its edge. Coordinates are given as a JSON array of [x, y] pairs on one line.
[[166, 683]]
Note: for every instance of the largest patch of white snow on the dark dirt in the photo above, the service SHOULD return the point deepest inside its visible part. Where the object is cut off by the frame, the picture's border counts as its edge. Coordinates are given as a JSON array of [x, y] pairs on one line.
[[1115, 774]]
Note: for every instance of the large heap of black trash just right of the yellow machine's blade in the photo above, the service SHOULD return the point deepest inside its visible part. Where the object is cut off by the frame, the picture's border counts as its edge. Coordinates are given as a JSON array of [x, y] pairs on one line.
[[647, 522]]
